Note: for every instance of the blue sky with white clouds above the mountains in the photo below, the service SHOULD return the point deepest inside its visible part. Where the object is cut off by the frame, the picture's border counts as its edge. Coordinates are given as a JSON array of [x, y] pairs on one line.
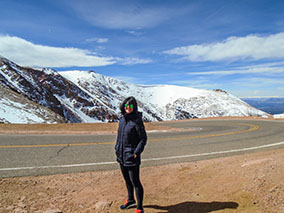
[[234, 45]]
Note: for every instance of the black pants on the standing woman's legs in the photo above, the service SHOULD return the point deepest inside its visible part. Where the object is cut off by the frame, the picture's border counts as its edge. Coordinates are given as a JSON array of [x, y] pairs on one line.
[[132, 180]]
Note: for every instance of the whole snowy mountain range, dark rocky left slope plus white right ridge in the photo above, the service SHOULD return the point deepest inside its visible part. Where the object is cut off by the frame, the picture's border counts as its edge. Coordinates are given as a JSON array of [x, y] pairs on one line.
[[81, 96]]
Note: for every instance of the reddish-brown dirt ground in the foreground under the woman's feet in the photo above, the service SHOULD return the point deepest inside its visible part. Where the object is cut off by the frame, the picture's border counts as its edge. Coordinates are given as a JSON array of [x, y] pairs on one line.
[[244, 183]]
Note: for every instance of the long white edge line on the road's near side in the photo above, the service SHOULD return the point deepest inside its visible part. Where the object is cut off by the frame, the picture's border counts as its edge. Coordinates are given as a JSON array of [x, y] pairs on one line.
[[150, 159]]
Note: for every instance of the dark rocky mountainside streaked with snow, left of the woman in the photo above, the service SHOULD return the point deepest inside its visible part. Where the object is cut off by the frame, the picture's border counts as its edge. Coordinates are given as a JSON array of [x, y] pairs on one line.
[[48, 88]]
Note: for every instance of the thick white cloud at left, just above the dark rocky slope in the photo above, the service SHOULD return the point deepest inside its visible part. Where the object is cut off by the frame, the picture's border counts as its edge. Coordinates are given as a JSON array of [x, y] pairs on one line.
[[26, 53]]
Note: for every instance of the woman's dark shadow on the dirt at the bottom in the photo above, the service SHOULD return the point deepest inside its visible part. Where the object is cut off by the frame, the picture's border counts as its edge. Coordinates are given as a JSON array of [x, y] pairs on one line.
[[194, 207]]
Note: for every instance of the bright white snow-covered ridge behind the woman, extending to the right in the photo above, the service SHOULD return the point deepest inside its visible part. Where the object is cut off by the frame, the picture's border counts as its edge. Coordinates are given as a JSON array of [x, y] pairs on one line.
[[162, 102]]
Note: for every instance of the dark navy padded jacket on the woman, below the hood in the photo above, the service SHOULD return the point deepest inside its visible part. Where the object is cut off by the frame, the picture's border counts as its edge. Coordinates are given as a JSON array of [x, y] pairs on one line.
[[131, 139]]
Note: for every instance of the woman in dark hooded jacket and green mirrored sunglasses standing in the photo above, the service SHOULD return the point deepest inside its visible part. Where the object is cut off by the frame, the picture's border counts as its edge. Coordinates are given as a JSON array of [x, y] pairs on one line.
[[130, 143]]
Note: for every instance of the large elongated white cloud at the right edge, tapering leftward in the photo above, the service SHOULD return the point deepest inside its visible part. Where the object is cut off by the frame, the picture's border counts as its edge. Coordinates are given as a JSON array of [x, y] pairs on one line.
[[235, 48]]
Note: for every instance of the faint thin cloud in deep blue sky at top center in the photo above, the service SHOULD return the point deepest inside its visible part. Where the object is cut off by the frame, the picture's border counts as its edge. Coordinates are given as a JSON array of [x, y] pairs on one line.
[[121, 14]]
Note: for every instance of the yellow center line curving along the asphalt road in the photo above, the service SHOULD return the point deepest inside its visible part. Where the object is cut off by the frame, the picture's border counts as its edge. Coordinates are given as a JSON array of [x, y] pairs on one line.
[[252, 128]]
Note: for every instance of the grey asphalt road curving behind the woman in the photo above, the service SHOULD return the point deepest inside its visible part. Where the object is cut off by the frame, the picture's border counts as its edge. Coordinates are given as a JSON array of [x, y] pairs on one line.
[[32, 155]]
